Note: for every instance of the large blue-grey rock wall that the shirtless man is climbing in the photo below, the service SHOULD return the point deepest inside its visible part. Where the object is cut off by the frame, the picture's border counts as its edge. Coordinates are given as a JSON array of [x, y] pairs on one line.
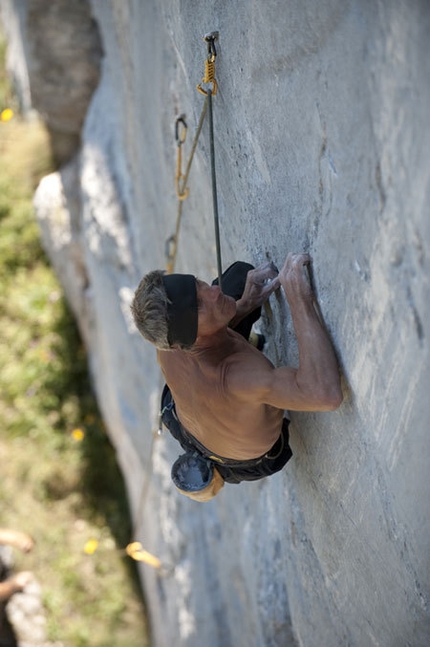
[[322, 144]]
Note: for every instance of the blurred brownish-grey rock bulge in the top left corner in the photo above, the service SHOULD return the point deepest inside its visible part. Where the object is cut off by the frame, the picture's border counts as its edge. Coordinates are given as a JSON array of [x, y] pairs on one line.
[[62, 51]]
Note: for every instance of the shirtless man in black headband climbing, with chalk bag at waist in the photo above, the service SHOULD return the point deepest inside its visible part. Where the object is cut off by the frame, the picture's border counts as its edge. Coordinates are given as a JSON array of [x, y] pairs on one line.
[[224, 401]]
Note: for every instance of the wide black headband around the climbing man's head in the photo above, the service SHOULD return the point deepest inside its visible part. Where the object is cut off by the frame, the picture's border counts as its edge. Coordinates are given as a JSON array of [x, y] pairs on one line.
[[182, 315]]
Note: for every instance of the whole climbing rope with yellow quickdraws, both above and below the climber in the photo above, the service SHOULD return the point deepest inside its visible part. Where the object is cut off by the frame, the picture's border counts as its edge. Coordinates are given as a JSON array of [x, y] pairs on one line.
[[135, 549]]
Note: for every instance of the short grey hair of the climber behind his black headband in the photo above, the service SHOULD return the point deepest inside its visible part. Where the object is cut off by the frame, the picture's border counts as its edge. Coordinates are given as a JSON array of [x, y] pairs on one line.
[[149, 309]]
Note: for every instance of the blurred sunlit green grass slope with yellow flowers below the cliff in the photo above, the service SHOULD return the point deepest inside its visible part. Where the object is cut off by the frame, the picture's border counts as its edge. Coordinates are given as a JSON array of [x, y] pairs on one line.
[[60, 481]]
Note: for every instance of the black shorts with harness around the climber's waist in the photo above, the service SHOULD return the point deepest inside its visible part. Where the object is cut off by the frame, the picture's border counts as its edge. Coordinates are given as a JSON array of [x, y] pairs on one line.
[[231, 470]]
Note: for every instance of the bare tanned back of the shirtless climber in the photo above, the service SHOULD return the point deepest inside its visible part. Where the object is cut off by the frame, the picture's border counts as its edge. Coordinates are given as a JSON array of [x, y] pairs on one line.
[[212, 389]]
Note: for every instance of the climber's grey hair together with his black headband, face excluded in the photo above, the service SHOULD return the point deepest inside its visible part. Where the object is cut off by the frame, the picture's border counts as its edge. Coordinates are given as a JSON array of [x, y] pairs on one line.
[[164, 309]]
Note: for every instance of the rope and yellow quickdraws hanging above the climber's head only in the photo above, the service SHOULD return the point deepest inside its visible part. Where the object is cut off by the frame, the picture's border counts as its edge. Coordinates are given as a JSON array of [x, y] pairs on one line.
[[181, 179]]
